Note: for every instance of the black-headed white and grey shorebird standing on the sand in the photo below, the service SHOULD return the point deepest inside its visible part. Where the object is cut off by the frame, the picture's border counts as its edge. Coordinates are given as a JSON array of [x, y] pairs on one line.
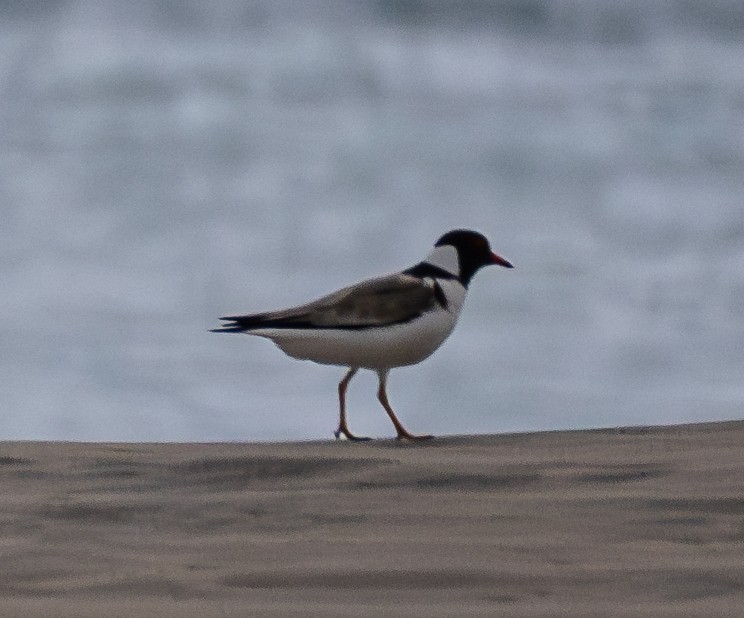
[[381, 323]]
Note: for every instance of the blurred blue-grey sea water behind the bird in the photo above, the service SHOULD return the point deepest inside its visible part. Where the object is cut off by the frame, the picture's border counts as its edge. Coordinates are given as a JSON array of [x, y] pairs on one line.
[[164, 163]]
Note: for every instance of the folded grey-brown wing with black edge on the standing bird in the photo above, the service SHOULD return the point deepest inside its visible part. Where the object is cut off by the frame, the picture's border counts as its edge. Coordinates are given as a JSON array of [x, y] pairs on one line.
[[377, 302]]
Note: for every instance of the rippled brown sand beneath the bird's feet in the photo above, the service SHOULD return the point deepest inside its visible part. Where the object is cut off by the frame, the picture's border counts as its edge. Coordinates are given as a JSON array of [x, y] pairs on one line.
[[636, 522]]
